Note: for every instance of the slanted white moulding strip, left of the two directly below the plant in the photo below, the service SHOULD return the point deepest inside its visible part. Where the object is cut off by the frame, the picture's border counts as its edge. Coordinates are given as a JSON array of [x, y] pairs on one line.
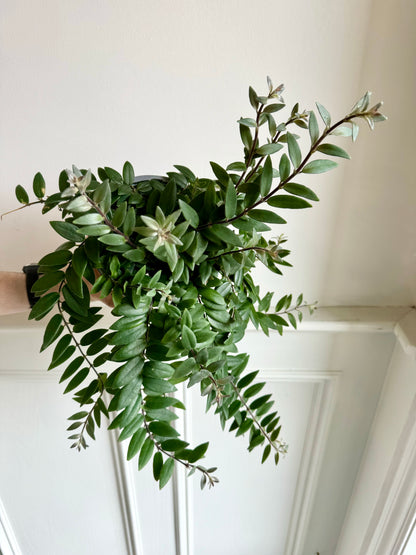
[[127, 496]]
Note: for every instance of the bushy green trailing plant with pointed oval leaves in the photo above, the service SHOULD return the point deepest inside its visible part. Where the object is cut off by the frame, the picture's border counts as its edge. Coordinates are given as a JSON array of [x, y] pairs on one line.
[[175, 254]]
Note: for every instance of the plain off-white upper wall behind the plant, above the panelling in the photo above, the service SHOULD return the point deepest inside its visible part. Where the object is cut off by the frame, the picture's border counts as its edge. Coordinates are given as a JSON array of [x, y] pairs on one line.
[[98, 82]]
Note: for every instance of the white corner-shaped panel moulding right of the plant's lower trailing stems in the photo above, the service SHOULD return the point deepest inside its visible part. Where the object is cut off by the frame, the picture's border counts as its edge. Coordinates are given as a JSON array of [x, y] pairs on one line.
[[323, 404]]
